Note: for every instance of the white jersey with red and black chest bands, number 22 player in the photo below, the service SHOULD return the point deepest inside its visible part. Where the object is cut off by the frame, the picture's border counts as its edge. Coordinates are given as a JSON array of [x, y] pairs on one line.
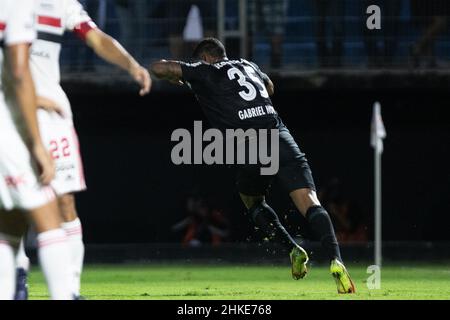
[[53, 19]]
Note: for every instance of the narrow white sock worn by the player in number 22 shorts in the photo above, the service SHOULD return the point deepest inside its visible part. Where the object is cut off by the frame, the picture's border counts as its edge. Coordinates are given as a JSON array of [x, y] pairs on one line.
[[75, 239]]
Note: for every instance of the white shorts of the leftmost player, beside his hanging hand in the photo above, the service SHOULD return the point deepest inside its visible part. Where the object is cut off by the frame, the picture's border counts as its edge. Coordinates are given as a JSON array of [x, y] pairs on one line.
[[19, 185]]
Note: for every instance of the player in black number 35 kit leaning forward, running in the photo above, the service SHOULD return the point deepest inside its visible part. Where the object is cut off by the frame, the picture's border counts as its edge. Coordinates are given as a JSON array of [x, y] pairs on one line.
[[228, 91]]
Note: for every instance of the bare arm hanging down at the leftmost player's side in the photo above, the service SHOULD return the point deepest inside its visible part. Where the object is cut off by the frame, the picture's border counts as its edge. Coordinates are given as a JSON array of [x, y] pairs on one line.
[[18, 57]]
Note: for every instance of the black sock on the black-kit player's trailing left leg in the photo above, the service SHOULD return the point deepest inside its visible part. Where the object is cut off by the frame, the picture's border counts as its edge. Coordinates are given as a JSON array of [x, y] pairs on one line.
[[267, 220]]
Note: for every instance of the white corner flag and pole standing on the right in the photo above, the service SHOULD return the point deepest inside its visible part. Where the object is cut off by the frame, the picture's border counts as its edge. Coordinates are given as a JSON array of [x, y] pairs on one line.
[[378, 133]]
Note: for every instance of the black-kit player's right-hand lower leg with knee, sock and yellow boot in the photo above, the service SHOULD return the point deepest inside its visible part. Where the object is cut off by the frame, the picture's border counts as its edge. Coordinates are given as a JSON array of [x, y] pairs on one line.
[[309, 205]]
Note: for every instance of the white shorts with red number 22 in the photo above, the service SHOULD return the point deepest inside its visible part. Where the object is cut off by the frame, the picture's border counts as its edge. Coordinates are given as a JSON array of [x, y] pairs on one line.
[[60, 137]]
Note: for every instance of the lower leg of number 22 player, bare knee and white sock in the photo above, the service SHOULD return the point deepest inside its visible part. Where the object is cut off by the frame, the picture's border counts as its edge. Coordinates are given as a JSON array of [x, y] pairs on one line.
[[72, 226]]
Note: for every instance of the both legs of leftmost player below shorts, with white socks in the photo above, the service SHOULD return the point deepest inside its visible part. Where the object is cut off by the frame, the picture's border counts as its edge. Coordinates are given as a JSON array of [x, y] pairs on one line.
[[53, 252]]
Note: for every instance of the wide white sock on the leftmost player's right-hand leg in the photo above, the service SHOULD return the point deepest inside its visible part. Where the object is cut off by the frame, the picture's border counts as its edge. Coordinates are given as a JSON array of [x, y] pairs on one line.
[[54, 258]]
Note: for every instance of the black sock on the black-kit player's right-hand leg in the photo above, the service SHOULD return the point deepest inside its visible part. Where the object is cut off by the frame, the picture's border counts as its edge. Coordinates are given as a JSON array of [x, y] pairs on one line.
[[322, 227]]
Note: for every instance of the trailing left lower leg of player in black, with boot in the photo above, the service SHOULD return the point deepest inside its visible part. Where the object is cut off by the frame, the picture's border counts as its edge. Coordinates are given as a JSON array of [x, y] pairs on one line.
[[267, 220]]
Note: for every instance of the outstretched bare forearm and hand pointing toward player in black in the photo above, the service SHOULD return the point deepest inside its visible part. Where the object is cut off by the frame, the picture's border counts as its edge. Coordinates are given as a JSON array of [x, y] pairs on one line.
[[112, 51]]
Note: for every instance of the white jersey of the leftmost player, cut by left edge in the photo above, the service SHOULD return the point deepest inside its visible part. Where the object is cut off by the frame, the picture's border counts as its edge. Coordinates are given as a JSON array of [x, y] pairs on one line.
[[16, 27]]
